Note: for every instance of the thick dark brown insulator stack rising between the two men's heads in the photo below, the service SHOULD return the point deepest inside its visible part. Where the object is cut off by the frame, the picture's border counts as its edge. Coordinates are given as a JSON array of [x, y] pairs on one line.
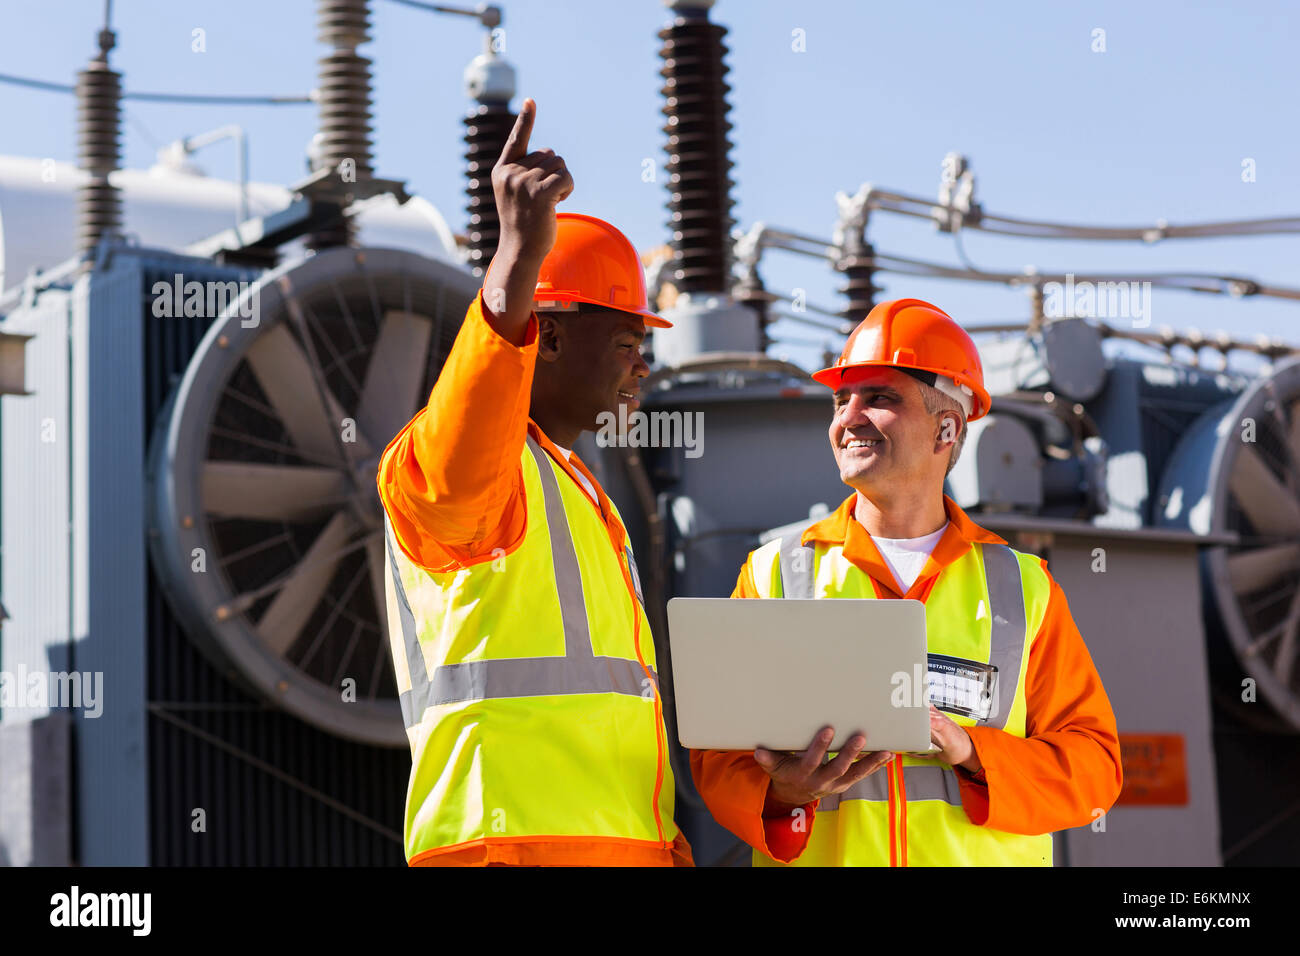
[[699, 165]]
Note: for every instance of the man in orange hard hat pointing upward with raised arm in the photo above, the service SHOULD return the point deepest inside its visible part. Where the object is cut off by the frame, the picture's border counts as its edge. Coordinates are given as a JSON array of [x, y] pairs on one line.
[[522, 648]]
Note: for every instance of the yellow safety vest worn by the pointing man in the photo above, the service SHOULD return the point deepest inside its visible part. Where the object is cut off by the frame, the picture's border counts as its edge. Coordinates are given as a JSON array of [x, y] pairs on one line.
[[528, 686]]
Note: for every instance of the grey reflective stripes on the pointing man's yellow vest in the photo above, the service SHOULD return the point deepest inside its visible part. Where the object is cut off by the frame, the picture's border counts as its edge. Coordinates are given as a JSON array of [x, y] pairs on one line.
[[579, 672]]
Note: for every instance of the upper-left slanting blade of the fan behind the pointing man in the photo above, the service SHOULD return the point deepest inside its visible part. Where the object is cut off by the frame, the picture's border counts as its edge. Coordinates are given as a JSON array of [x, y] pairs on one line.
[[285, 374]]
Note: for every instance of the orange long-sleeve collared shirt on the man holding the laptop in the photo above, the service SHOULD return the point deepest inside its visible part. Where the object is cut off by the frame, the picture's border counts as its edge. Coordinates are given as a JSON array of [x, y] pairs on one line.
[[1054, 778]]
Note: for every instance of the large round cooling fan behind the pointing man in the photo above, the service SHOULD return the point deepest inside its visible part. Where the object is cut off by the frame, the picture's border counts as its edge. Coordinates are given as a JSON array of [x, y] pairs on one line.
[[267, 529]]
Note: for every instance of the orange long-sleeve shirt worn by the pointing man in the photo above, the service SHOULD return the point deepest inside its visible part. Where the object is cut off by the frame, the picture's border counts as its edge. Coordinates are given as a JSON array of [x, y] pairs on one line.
[[453, 488]]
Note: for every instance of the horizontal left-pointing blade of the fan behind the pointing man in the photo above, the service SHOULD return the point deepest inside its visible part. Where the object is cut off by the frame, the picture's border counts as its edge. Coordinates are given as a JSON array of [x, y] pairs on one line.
[[271, 492]]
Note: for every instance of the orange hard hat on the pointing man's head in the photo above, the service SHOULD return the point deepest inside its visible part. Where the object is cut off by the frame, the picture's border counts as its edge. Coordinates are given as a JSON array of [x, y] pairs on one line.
[[593, 262]]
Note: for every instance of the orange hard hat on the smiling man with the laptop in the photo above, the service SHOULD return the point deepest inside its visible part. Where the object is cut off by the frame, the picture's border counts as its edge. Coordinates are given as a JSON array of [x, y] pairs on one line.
[[921, 340]]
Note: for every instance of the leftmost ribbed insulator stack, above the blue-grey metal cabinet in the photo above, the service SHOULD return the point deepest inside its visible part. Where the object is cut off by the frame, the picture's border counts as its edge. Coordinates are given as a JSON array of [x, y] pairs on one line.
[[99, 93]]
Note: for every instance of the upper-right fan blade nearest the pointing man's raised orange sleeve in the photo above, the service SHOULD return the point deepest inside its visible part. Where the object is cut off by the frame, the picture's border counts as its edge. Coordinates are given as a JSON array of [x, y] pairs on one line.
[[392, 392]]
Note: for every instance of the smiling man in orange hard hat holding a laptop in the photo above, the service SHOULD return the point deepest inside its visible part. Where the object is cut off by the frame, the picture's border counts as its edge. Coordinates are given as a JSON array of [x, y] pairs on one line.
[[1025, 734]]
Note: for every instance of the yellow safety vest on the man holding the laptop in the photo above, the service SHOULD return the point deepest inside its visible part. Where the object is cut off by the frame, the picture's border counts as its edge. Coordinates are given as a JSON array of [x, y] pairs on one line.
[[986, 607]]
